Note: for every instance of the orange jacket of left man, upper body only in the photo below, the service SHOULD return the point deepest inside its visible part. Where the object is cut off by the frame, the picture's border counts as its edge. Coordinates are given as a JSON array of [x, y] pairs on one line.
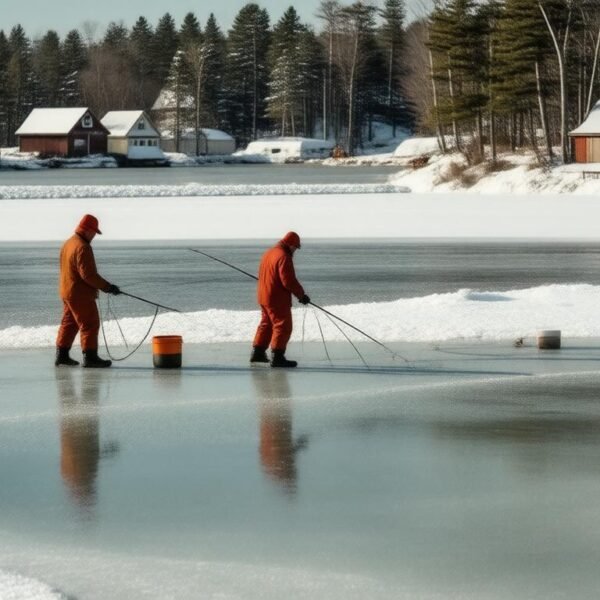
[[79, 279]]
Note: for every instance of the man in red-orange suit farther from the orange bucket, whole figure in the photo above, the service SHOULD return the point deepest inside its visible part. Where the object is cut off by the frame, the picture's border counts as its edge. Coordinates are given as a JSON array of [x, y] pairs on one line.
[[276, 284]]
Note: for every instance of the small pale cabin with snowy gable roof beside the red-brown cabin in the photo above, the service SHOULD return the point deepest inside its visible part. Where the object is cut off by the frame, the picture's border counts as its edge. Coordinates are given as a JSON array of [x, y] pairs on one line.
[[132, 136]]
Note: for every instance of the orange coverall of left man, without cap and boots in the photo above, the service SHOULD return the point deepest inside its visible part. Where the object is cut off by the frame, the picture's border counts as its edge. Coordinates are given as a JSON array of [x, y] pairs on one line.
[[79, 283]]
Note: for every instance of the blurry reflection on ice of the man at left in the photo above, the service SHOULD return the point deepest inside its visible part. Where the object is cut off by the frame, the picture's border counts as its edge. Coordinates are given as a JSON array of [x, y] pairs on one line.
[[80, 450]]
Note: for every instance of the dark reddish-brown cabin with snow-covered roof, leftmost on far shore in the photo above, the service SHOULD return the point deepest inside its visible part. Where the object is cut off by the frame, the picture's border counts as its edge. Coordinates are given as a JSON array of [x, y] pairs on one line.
[[66, 132]]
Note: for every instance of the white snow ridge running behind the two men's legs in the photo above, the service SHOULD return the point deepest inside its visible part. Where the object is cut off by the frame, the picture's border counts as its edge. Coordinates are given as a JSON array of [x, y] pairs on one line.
[[465, 314]]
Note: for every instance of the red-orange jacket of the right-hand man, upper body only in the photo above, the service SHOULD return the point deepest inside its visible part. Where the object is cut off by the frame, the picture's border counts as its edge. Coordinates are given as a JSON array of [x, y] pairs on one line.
[[277, 278]]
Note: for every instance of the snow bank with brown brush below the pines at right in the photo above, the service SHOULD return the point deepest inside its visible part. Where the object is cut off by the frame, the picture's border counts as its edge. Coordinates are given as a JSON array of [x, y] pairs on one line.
[[518, 174]]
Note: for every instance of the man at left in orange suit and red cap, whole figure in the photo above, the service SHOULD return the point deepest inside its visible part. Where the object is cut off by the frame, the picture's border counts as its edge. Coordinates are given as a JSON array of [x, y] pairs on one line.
[[79, 283]]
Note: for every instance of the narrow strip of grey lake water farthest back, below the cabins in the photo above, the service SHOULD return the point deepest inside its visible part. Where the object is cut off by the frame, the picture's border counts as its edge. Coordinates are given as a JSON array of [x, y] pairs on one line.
[[208, 175]]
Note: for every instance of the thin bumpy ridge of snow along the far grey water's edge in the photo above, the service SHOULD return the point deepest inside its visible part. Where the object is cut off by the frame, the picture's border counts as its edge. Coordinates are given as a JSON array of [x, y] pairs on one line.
[[26, 192]]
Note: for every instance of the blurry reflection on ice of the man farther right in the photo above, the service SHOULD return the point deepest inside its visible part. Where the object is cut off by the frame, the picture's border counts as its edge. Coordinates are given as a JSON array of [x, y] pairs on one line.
[[277, 447]]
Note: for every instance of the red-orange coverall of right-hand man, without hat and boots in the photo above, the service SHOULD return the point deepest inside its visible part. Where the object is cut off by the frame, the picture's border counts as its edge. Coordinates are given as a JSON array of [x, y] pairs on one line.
[[276, 284]]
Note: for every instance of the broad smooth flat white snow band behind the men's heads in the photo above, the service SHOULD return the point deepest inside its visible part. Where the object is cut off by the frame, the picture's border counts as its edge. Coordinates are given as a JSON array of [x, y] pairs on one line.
[[331, 216]]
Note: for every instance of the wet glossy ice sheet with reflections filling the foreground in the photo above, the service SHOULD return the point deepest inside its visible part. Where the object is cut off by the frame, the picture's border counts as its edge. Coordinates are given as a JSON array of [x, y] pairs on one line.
[[471, 473]]
